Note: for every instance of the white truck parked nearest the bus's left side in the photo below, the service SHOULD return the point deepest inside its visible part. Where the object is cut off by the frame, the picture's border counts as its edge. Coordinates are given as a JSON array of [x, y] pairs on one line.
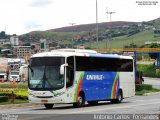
[[14, 76]]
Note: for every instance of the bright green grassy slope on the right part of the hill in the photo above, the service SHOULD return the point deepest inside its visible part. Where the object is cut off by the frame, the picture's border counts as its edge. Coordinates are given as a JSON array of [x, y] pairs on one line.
[[138, 39]]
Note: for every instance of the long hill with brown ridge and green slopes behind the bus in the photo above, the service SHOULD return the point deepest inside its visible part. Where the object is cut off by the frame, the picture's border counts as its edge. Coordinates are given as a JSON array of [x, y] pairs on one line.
[[116, 34]]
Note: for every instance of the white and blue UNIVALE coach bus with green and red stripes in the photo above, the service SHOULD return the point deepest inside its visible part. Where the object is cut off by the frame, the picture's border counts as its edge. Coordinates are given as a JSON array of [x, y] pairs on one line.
[[75, 76]]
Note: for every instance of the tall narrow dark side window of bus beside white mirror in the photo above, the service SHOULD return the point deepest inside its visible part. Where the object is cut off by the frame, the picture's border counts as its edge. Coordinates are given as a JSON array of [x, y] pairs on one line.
[[70, 72]]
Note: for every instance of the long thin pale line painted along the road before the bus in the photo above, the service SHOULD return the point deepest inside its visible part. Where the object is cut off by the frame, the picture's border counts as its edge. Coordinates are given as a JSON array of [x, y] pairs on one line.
[[120, 107]]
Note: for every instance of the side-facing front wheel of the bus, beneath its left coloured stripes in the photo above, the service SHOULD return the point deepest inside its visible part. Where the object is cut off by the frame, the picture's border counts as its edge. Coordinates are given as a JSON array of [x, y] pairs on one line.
[[80, 102]]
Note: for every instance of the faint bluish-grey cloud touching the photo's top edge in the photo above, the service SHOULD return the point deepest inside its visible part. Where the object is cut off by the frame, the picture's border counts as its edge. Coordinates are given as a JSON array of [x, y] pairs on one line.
[[39, 3]]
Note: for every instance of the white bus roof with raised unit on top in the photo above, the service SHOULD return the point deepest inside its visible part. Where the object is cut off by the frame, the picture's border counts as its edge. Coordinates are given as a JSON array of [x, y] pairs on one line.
[[78, 52]]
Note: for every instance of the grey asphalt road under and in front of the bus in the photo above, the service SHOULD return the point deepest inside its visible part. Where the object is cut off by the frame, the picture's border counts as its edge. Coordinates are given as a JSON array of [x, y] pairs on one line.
[[149, 104]]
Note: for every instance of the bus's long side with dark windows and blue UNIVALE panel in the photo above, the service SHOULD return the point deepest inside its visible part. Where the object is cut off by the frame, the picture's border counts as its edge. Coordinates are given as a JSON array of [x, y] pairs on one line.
[[105, 77]]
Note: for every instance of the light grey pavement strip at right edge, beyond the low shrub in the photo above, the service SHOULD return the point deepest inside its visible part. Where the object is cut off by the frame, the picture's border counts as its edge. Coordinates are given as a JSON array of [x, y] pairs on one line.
[[155, 82]]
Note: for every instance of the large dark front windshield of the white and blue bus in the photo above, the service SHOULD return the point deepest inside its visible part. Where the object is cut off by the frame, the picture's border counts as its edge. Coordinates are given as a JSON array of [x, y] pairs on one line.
[[44, 73]]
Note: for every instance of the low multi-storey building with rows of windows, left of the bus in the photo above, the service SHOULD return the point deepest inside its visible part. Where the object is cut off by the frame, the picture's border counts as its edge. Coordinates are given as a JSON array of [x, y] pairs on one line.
[[22, 51]]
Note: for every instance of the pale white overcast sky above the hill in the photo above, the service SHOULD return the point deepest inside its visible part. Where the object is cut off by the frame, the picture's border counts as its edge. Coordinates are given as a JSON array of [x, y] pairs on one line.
[[23, 16]]
